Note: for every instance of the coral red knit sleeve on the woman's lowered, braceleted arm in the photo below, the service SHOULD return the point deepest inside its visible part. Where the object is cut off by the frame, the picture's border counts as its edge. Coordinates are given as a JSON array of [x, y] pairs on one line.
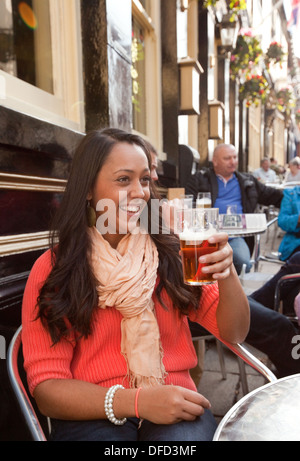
[[42, 360]]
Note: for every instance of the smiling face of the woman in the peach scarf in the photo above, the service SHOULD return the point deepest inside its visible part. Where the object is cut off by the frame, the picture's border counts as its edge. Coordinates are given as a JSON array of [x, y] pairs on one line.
[[121, 191]]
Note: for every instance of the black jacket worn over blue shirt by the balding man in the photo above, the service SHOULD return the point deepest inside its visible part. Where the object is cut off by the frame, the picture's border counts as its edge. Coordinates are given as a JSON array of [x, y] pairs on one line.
[[253, 192]]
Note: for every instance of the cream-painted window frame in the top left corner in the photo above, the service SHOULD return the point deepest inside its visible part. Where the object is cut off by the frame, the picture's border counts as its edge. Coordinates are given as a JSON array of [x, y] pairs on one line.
[[65, 107]]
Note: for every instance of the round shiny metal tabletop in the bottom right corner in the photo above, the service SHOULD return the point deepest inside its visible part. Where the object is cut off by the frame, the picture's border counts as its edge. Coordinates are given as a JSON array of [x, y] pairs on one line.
[[269, 413]]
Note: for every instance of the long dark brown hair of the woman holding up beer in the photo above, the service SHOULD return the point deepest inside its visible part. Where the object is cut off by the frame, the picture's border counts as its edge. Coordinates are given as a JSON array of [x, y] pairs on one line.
[[68, 297]]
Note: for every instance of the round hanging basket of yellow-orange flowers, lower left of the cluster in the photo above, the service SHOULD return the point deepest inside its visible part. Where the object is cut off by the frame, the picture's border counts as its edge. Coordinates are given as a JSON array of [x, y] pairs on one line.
[[254, 89]]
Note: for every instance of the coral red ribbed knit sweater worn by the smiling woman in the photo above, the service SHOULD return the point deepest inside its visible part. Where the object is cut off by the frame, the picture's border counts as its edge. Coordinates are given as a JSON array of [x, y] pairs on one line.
[[98, 359]]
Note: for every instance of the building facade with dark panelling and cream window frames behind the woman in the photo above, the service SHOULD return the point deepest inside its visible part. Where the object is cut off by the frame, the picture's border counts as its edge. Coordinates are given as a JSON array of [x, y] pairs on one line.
[[155, 67]]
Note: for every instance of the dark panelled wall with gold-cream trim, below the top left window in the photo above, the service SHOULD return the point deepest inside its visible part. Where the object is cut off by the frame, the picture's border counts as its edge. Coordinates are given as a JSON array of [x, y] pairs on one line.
[[35, 159]]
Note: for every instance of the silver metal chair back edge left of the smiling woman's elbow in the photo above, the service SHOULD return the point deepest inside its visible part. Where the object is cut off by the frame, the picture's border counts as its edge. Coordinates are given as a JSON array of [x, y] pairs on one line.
[[19, 390]]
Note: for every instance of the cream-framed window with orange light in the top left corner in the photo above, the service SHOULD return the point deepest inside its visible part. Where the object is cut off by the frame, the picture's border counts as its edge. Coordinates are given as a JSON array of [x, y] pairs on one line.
[[40, 60]]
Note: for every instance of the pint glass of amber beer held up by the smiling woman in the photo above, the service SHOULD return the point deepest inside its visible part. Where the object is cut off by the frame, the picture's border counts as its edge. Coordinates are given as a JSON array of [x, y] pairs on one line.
[[197, 225]]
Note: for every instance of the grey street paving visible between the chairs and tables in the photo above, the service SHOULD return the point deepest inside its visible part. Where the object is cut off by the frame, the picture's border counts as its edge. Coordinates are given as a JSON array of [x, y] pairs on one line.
[[224, 393]]
